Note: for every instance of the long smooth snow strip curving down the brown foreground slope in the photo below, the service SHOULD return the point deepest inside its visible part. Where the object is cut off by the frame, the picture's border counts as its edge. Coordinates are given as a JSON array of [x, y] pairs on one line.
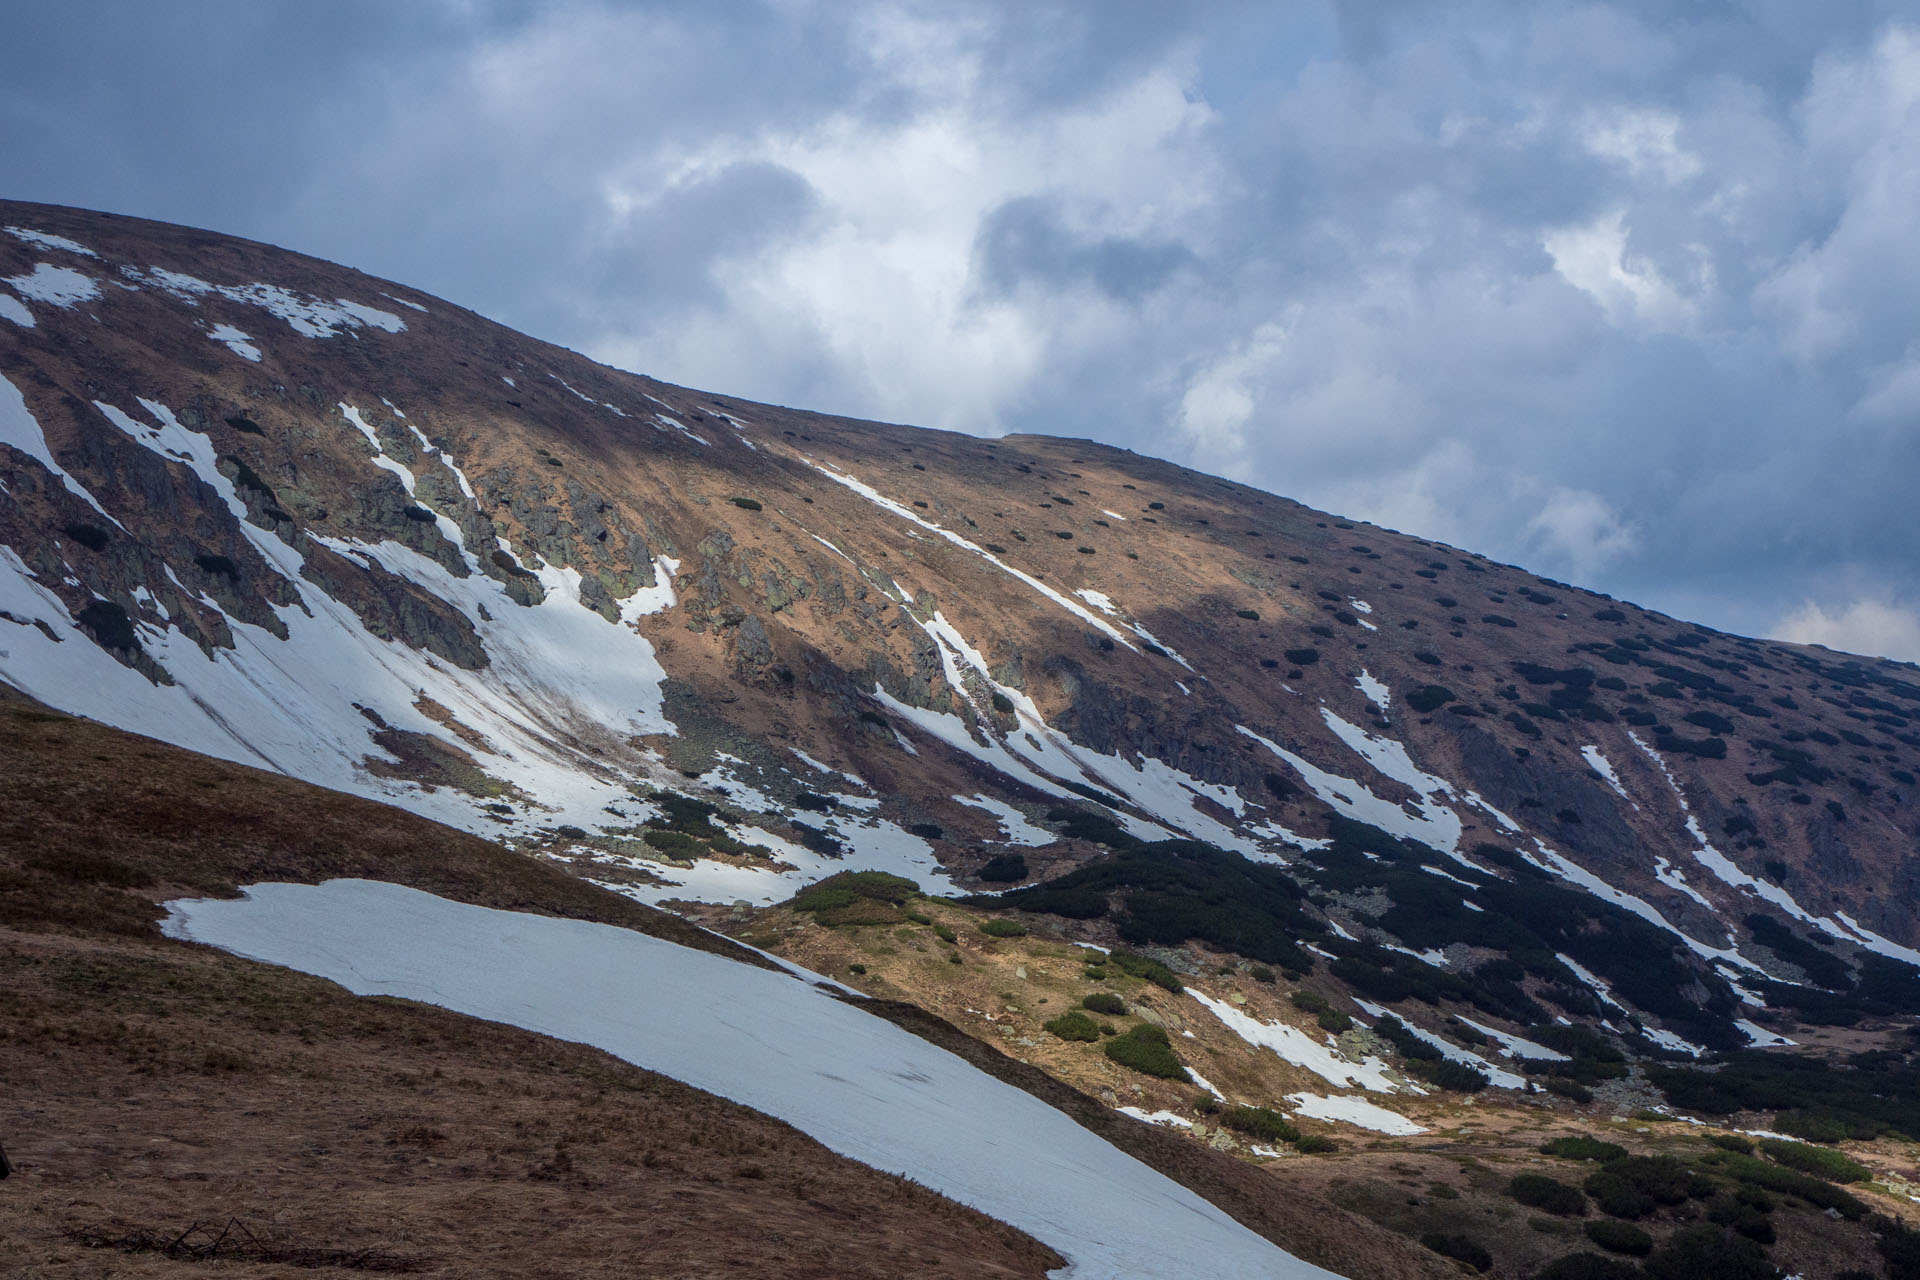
[[859, 1085]]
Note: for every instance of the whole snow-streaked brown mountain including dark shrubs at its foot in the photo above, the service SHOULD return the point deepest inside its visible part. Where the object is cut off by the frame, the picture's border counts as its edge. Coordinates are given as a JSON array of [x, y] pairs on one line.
[[706, 653]]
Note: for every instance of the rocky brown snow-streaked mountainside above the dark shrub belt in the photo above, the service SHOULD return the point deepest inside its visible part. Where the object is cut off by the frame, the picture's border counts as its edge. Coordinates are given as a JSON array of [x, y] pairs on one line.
[[381, 534]]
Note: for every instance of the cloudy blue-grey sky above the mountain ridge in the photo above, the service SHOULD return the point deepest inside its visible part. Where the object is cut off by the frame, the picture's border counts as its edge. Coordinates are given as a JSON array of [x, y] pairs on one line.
[[1623, 293]]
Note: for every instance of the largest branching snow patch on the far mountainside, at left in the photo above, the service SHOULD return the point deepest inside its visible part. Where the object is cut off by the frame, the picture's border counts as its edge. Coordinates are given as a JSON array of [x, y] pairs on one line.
[[291, 705]]
